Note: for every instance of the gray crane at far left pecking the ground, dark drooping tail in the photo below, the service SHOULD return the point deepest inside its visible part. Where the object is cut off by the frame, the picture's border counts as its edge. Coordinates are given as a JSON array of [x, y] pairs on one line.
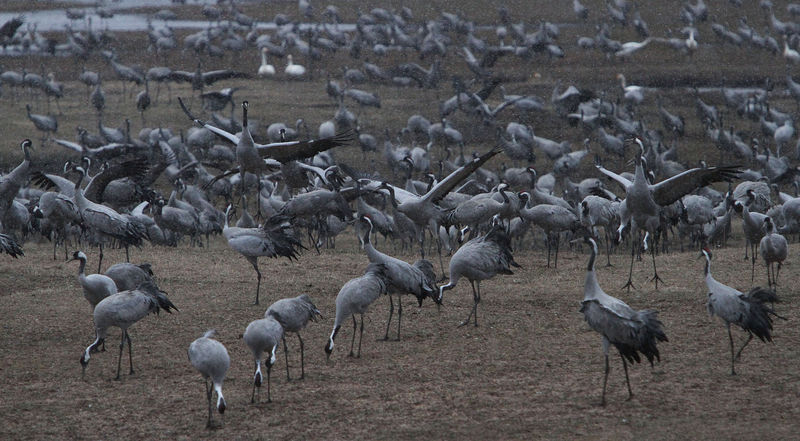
[[122, 310]]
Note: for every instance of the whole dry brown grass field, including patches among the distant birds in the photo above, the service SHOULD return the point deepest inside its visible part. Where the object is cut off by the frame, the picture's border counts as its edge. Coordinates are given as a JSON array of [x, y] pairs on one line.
[[532, 370]]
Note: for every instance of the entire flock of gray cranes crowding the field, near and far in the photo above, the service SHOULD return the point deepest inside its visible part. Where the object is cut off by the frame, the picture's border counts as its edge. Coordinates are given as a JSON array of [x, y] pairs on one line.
[[297, 185]]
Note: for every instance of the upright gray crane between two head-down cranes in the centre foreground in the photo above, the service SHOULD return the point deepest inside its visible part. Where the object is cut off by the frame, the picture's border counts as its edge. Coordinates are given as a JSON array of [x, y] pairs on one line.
[[418, 279]]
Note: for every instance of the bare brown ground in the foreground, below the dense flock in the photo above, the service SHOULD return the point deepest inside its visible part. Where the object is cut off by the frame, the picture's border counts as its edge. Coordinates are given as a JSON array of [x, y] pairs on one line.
[[532, 369]]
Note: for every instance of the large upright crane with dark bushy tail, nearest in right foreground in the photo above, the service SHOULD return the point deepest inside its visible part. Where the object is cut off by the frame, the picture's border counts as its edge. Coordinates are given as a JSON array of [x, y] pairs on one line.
[[630, 331]]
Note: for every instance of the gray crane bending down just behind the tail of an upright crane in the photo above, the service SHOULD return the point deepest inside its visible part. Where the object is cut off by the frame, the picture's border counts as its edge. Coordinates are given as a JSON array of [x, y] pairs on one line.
[[479, 259]]
